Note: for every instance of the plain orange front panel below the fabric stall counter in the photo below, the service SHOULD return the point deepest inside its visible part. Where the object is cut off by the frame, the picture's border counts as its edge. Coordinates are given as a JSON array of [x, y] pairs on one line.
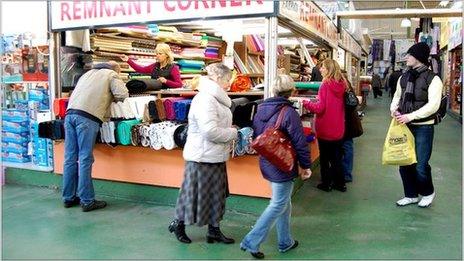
[[165, 168]]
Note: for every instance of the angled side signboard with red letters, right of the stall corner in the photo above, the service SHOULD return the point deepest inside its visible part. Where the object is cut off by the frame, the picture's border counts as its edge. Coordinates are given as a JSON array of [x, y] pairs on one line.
[[309, 16]]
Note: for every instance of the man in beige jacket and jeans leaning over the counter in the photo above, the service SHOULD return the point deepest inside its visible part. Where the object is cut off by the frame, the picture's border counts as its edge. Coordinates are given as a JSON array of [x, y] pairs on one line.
[[87, 107]]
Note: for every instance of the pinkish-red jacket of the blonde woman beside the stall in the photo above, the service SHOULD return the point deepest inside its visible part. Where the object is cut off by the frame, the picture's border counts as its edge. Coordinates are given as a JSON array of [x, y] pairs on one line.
[[329, 110]]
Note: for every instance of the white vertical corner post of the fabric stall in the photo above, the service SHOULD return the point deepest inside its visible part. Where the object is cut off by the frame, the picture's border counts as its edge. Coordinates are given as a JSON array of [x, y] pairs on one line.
[[270, 55]]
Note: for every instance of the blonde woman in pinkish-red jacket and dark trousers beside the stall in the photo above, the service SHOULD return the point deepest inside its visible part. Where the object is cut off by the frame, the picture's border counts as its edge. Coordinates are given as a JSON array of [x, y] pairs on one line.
[[329, 125]]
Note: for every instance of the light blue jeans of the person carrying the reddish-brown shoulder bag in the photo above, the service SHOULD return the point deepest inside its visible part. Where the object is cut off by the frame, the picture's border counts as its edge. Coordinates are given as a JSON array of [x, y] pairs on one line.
[[277, 212]]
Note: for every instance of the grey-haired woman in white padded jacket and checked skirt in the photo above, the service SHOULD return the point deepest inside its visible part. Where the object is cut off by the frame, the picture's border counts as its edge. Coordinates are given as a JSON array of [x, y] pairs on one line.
[[202, 196]]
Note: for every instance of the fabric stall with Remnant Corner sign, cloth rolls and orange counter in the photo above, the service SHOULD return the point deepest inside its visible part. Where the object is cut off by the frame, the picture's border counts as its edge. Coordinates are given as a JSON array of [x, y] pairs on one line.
[[156, 161]]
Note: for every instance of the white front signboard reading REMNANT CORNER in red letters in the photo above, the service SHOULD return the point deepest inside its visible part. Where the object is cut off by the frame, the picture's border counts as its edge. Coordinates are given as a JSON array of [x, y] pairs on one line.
[[84, 14]]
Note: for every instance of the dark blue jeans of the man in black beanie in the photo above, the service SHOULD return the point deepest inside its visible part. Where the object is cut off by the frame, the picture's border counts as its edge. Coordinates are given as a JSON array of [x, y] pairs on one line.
[[417, 178]]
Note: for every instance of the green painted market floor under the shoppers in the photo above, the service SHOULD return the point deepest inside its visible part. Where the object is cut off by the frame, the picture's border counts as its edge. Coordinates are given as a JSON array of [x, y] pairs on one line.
[[363, 223]]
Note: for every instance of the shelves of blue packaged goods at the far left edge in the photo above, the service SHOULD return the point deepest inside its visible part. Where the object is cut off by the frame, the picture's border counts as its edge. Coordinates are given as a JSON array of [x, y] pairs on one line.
[[25, 102]]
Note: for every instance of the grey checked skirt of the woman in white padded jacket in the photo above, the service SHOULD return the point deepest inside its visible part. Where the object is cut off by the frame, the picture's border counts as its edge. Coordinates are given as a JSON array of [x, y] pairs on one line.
[[202, 197]]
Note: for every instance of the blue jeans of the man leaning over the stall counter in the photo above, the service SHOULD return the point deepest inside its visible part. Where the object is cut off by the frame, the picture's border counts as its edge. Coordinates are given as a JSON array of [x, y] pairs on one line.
[[80, 136]]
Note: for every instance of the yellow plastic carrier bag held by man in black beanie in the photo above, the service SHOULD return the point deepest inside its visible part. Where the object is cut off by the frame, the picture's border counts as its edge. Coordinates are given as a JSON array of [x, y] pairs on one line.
[[399, 147]]
